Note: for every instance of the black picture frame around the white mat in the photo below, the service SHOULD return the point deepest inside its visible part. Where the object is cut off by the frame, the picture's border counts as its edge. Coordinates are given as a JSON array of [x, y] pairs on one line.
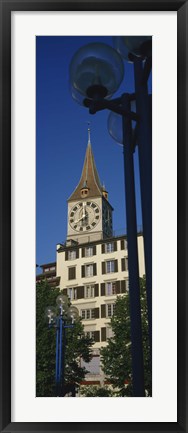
[[6, 7]]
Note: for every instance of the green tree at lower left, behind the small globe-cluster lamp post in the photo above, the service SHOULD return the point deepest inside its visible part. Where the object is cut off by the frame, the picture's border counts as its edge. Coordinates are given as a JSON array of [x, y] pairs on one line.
[[77, 345]]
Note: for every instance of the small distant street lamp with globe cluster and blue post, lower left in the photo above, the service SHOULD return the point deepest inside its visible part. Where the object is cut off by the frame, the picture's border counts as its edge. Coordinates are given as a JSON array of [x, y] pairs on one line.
[[64, 318]]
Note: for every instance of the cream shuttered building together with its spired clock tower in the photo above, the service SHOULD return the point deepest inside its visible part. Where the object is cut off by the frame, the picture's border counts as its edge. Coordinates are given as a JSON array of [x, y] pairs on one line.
[[92, 265]]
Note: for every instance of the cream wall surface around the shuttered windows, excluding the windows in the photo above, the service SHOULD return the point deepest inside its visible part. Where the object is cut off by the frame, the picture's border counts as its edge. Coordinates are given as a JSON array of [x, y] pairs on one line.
[[96, 302]]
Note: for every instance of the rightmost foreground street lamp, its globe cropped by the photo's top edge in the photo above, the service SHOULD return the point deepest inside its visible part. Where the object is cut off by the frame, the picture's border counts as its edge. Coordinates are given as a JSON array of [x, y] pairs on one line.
[[140, 47]]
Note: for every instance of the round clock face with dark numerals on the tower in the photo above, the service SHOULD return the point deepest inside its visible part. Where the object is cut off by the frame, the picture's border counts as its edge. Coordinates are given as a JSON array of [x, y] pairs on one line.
[[84, 216]]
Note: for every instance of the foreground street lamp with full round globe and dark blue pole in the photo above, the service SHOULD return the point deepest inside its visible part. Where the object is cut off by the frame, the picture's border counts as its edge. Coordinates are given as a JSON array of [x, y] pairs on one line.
[[98, 82]]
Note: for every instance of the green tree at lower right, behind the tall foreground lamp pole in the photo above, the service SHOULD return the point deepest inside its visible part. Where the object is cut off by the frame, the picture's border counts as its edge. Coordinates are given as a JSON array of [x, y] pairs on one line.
[[116, 356]]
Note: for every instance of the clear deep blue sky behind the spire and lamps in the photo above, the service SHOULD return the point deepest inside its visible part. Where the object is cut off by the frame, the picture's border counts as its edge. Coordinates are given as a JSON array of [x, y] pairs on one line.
[[61, 141]]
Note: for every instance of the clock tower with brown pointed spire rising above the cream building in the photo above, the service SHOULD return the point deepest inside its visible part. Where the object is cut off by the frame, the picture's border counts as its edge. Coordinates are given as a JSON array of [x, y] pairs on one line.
[[89, 212]]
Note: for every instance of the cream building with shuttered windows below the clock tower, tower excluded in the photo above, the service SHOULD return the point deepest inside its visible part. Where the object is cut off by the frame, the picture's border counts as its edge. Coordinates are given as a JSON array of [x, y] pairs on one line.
[[92, 275]]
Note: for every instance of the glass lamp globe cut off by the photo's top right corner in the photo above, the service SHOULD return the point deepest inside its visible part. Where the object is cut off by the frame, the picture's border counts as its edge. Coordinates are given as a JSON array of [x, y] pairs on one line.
[[138, 45]]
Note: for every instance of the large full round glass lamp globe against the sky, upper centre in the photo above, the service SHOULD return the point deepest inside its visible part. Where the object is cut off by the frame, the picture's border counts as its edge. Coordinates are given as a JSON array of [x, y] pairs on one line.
[[96, 71]]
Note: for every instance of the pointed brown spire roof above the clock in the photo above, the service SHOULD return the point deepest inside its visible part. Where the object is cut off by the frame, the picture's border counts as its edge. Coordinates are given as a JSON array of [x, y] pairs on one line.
[[89, 177]]
